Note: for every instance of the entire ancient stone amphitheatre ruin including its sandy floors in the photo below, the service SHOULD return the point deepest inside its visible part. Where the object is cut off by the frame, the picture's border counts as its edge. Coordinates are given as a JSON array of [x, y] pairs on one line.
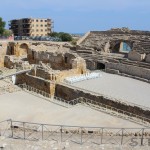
[[94, 94]]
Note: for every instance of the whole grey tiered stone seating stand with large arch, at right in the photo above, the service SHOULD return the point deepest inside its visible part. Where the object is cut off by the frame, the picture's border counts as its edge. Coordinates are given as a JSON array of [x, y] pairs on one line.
[[120, 51]]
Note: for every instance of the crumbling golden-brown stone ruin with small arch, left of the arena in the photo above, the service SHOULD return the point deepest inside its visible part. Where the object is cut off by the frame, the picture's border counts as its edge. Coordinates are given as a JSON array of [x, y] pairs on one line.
[[50, 63]]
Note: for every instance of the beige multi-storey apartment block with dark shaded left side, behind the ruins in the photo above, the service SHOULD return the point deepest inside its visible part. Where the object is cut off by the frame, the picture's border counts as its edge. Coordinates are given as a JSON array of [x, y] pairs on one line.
[[31, 26]]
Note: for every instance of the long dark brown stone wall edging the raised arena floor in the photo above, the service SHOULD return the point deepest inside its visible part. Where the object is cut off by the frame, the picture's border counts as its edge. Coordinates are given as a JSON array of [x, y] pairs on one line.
[[68, 93]]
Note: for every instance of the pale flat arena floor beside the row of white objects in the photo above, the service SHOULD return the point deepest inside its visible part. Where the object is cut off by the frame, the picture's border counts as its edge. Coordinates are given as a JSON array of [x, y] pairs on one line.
[[119, 87]]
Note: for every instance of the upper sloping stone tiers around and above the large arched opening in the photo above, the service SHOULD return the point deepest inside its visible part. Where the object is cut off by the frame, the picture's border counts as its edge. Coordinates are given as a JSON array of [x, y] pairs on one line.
[[106, 40]]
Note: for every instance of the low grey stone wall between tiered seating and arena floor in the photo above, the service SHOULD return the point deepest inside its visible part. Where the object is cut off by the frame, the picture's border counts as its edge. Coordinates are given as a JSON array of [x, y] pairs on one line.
[[129, 69]]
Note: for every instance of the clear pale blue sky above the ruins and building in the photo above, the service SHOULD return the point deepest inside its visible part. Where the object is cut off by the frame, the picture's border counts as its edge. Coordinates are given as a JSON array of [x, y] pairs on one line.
[[80, 16]]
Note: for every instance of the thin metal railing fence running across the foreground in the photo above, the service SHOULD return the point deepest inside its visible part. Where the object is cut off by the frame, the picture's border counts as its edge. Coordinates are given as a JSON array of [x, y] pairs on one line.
[[74, 134]]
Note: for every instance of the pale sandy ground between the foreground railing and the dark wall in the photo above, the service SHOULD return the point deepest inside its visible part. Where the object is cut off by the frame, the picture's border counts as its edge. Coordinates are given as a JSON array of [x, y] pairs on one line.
[[23, 106]]
